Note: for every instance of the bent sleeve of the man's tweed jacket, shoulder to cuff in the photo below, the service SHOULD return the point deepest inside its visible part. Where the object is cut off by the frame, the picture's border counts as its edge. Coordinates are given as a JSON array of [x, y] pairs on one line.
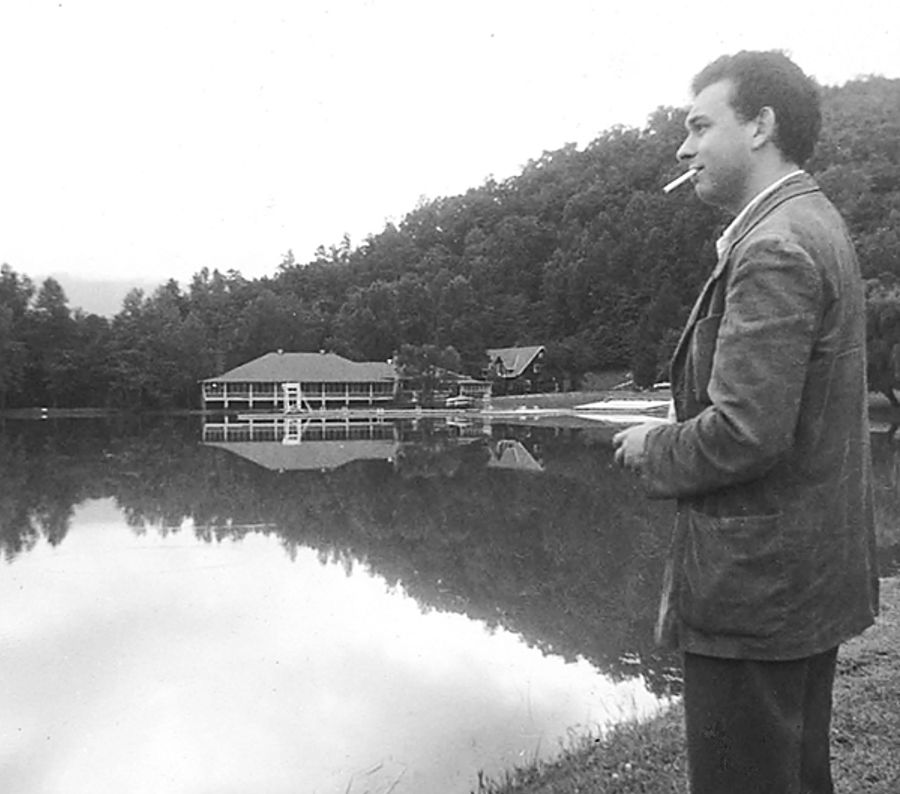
[[773, 309]]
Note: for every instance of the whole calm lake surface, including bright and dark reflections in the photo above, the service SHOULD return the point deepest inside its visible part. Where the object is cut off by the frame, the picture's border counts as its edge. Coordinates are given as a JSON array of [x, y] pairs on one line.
[[343, 608]]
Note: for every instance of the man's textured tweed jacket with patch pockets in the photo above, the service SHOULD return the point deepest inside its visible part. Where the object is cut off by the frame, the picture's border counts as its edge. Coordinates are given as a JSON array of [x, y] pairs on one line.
[[773, 554]]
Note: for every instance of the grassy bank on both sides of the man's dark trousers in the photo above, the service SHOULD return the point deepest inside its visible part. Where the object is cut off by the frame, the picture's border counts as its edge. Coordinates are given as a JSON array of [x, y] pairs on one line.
[[649, 756]]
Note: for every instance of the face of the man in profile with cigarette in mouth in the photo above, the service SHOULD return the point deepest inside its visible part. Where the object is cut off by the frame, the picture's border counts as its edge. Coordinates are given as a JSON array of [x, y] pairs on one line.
[[719, 142]]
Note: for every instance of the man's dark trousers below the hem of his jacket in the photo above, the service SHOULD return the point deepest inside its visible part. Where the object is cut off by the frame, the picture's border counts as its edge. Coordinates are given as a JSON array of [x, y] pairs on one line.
[[759, 727]]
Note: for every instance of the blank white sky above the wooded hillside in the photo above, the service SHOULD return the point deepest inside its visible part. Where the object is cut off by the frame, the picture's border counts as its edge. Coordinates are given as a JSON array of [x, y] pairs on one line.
[[150, 139]]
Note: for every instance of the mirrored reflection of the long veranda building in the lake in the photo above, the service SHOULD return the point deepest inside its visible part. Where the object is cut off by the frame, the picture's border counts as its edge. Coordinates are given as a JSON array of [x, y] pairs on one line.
[[295, 444]]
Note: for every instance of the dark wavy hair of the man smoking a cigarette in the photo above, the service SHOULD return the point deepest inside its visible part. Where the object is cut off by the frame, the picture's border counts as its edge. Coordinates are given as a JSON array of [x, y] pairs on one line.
[[771, 79]]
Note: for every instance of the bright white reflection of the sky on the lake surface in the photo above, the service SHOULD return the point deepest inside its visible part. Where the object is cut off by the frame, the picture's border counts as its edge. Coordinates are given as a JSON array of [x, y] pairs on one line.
[[159, 662]]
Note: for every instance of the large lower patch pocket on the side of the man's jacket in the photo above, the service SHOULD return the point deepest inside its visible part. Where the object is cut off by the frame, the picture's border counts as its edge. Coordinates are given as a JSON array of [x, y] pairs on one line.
[[735, 577]]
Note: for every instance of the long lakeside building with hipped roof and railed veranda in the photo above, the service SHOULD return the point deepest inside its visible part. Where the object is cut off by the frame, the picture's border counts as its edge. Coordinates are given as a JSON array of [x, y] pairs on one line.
[[307, 380]]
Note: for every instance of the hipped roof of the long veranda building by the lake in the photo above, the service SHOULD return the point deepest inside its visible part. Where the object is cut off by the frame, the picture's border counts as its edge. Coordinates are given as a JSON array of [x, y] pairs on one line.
[[307, 368]]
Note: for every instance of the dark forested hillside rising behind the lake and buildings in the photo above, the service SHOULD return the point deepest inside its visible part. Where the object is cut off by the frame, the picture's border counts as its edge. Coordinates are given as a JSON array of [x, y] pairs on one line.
[[581, 252]]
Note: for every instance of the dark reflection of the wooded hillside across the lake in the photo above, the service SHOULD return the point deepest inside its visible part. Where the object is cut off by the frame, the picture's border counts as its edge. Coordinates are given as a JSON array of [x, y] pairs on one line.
[[570, 557]]
